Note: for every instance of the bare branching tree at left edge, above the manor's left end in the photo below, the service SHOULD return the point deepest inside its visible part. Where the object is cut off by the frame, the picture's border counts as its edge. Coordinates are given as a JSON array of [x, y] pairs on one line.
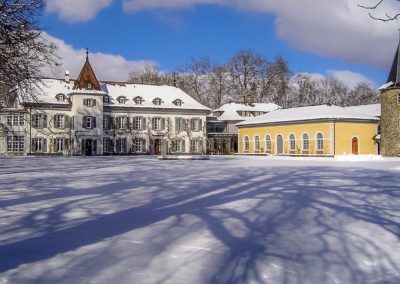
[[23, 51]]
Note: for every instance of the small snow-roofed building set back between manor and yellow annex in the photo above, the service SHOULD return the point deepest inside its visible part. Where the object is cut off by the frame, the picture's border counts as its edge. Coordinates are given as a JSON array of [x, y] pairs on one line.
[[221, 125]]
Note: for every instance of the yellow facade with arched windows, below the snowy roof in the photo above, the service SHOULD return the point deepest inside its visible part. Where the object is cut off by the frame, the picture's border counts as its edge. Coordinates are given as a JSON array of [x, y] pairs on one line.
[[310, 138]]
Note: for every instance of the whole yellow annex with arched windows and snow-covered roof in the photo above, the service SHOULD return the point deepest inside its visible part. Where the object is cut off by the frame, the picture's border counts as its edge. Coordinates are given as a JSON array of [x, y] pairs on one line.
[[313, 130]]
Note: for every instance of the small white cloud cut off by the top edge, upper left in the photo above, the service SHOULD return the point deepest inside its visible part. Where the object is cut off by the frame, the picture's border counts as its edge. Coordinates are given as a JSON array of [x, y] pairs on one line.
[[76, 10]]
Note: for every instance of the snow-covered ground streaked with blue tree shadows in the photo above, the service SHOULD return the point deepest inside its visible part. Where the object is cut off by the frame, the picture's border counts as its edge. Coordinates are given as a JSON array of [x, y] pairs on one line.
[[226, 220]]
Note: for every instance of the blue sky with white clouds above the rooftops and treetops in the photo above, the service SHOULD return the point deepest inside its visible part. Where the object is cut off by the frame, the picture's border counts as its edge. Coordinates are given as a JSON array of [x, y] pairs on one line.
[[123, 35]]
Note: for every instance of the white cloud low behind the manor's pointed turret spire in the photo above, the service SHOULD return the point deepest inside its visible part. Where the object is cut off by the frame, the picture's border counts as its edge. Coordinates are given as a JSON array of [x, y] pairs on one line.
[[106, 66]]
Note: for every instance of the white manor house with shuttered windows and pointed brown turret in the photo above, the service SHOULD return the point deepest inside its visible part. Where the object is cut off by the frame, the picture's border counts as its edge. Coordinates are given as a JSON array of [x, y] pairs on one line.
[[89, 117]]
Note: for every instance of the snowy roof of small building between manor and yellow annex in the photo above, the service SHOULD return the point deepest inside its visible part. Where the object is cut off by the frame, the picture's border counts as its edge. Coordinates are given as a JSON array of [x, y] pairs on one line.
[[230, 110]]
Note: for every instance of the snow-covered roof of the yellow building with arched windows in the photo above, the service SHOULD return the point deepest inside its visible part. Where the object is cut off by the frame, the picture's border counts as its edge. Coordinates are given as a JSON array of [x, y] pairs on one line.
[[319, 112]]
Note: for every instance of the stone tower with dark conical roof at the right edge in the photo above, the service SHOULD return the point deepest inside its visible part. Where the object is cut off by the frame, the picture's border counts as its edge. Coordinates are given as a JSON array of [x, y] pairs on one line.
[[390, 111]]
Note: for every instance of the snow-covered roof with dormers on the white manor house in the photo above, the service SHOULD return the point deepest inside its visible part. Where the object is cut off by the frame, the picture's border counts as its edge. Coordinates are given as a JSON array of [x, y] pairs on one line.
[[49, 88]]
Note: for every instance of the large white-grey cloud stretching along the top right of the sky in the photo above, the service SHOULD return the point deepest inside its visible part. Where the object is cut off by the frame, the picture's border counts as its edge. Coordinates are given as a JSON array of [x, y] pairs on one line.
[[334, 28]]
